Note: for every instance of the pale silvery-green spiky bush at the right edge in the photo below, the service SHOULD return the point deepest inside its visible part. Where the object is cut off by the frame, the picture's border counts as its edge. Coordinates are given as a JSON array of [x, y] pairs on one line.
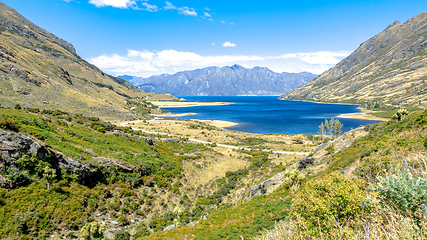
[[403, 190]]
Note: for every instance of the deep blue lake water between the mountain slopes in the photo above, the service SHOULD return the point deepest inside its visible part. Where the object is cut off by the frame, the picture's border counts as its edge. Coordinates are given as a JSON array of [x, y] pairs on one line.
[[268, 114]]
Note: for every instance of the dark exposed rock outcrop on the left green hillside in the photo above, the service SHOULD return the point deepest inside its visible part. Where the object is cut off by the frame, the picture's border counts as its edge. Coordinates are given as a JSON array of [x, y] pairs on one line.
[[13, 145]]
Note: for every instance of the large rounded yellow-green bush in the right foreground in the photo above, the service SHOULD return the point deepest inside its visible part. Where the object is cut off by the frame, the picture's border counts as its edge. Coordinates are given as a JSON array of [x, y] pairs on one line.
[[321, 203]]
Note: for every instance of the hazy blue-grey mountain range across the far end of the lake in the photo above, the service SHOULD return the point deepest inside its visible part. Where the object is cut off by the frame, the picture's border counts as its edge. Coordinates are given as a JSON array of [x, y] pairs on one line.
[[223, 81]]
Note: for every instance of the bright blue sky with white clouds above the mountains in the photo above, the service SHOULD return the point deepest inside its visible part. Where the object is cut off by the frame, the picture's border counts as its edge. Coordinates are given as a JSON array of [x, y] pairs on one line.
[[151, 37]]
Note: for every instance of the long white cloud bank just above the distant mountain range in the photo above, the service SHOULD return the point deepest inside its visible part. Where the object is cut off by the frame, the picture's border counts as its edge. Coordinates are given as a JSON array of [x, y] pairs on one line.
[[147, 63]]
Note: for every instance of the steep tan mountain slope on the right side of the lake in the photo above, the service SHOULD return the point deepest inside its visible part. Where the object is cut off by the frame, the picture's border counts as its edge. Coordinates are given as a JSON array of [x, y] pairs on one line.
[[390, 68]]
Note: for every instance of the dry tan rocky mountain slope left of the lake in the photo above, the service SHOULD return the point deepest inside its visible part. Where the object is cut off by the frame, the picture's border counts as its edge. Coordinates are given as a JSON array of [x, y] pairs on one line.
[[40, 70]]
